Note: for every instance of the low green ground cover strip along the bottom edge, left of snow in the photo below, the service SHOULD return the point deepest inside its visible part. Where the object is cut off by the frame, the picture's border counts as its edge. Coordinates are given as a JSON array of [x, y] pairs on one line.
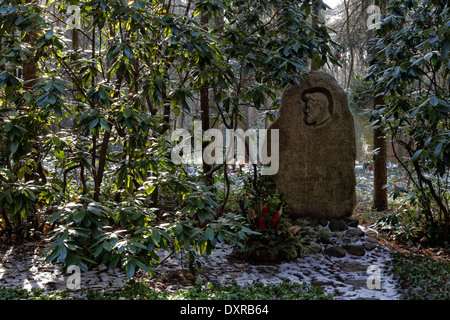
[[135, 290]]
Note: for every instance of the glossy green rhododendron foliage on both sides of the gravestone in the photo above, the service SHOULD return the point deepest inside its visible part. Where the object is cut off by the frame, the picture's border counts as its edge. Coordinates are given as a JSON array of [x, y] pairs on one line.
[[87, 107]]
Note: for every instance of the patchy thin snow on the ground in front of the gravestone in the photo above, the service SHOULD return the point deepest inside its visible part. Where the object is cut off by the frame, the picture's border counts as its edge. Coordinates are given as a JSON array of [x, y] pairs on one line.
[[346, 278]]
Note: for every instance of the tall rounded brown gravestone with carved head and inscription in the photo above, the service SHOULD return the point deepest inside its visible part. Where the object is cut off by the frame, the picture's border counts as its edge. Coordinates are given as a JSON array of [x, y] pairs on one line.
[[317, 149]]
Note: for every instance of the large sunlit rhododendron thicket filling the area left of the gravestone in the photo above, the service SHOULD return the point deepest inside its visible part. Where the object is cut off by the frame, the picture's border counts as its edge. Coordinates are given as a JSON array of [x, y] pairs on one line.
[[86, 114]]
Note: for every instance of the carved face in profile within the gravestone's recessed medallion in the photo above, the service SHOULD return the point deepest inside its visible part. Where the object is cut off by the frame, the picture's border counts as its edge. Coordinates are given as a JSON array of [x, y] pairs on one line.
[[316, 111]]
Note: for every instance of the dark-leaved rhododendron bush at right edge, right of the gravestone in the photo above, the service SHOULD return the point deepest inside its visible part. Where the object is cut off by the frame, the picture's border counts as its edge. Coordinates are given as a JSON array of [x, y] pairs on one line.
[[410, 69]]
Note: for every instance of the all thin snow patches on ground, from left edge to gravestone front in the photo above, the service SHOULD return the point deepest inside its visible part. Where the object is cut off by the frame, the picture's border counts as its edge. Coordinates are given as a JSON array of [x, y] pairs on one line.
[[346, 278]]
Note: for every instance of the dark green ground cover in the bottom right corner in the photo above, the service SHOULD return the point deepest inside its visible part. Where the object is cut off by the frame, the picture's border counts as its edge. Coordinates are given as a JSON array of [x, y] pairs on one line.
[[422, 278]]
